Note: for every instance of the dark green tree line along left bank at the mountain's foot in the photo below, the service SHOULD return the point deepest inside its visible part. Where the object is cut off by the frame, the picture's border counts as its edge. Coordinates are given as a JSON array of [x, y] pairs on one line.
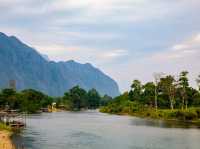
[[32, 101]]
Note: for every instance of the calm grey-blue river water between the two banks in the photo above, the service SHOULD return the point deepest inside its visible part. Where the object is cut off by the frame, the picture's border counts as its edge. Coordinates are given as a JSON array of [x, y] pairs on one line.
[[94, 130]]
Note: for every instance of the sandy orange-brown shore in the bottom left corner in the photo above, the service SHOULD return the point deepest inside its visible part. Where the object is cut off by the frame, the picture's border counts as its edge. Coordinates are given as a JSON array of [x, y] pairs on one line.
[[5, 140]]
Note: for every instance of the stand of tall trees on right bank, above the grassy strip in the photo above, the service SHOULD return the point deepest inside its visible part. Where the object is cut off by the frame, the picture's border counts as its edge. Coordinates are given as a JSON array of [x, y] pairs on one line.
[[166, 92]]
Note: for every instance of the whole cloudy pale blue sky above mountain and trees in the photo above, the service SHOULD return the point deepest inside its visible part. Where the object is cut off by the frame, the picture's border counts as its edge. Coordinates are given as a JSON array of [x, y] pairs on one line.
[[126, 39]]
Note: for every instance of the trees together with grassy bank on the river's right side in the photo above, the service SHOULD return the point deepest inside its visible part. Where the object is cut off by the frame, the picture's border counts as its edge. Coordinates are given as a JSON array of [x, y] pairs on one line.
[[166, 98]]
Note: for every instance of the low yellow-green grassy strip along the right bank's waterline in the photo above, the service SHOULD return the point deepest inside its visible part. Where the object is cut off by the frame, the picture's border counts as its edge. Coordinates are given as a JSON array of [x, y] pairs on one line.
[[191, 115]]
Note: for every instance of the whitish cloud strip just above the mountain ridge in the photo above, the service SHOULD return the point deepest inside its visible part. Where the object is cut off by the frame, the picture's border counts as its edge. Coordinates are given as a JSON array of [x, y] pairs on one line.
[[82, 54]]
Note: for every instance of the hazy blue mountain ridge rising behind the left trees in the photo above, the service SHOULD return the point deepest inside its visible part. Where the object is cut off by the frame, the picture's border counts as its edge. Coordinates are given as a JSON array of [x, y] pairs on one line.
[[24, 64]]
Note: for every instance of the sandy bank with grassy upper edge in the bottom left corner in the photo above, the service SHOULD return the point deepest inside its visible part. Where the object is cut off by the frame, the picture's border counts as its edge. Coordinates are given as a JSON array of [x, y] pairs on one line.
[[5, 137]]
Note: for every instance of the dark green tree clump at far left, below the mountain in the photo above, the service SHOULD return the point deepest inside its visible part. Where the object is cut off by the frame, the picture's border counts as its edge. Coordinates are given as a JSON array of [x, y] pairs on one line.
[[26, 101]]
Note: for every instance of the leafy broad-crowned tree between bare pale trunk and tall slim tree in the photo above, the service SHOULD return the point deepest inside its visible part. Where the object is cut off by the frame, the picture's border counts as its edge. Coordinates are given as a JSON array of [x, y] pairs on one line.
[[168, 87]]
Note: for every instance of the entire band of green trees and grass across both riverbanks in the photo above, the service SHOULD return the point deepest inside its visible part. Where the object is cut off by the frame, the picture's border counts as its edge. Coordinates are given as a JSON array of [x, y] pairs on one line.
[[166, 98]]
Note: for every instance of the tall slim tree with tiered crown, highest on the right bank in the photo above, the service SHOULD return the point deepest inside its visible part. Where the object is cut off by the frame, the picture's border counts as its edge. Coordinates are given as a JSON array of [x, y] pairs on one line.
[[183, 84]]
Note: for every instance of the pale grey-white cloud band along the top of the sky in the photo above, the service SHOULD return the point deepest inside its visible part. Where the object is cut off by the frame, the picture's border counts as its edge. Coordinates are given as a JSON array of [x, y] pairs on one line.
[[107, 10]]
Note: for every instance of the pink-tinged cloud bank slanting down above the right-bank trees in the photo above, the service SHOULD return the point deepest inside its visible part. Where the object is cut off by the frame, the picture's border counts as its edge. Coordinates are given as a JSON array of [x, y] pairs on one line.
[[179, 57]]
